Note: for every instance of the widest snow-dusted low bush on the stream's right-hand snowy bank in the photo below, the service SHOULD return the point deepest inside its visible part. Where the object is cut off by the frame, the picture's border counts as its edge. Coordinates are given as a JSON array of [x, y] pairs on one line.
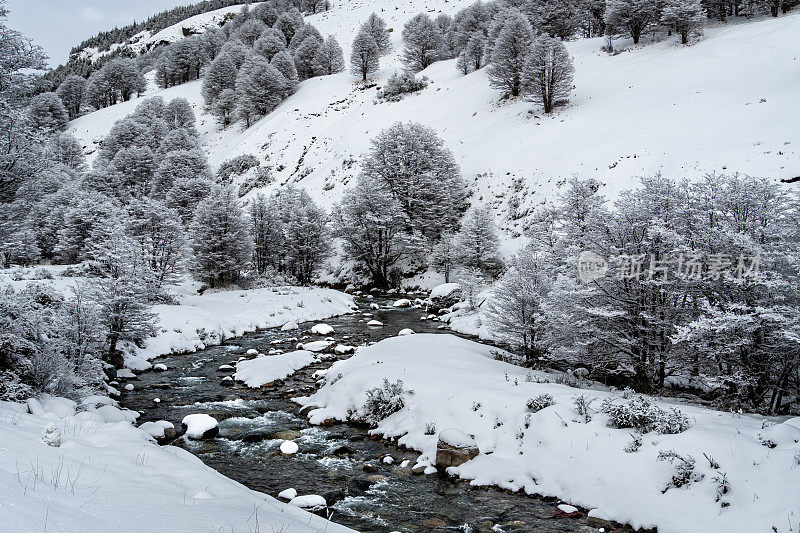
[[643, 416]]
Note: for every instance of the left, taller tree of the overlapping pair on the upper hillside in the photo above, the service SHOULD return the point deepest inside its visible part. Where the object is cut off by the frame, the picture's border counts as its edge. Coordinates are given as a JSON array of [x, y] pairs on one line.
[[509, 52]]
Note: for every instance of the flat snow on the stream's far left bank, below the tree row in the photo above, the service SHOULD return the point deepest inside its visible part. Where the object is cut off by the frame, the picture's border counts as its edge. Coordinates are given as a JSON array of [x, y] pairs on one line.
[[202, 320]]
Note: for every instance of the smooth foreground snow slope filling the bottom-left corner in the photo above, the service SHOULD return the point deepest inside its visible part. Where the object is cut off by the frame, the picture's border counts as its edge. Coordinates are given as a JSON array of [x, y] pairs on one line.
[[116, 478]]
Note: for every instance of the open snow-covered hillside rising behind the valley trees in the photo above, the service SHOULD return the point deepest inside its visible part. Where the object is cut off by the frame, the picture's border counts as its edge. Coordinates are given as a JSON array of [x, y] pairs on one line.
[[724, 104]]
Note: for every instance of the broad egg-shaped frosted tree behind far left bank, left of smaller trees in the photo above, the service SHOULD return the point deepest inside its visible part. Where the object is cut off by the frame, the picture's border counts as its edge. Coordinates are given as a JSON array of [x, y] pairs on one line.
[[220, 238]]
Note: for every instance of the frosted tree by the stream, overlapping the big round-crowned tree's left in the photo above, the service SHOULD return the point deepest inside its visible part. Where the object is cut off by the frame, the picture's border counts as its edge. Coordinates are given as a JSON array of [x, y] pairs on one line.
[[373, 227]]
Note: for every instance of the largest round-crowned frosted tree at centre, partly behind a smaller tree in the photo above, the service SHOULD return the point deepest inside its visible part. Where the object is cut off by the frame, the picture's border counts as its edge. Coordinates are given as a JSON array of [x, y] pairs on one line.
[[414, 165]]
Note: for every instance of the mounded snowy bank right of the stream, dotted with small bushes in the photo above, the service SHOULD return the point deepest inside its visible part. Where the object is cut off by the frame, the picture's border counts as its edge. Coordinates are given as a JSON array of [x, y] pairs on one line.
[[457, 384]]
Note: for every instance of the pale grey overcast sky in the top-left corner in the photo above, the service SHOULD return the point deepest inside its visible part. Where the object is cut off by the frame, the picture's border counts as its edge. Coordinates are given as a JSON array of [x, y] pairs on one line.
[[58, 25]]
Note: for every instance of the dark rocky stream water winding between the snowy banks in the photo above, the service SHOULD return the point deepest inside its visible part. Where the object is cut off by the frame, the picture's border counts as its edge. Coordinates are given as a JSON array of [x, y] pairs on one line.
[[338, 462]]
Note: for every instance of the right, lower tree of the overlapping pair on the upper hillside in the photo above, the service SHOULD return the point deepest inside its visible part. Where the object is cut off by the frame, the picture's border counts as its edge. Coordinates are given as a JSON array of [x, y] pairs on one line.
[[547, 77]]
